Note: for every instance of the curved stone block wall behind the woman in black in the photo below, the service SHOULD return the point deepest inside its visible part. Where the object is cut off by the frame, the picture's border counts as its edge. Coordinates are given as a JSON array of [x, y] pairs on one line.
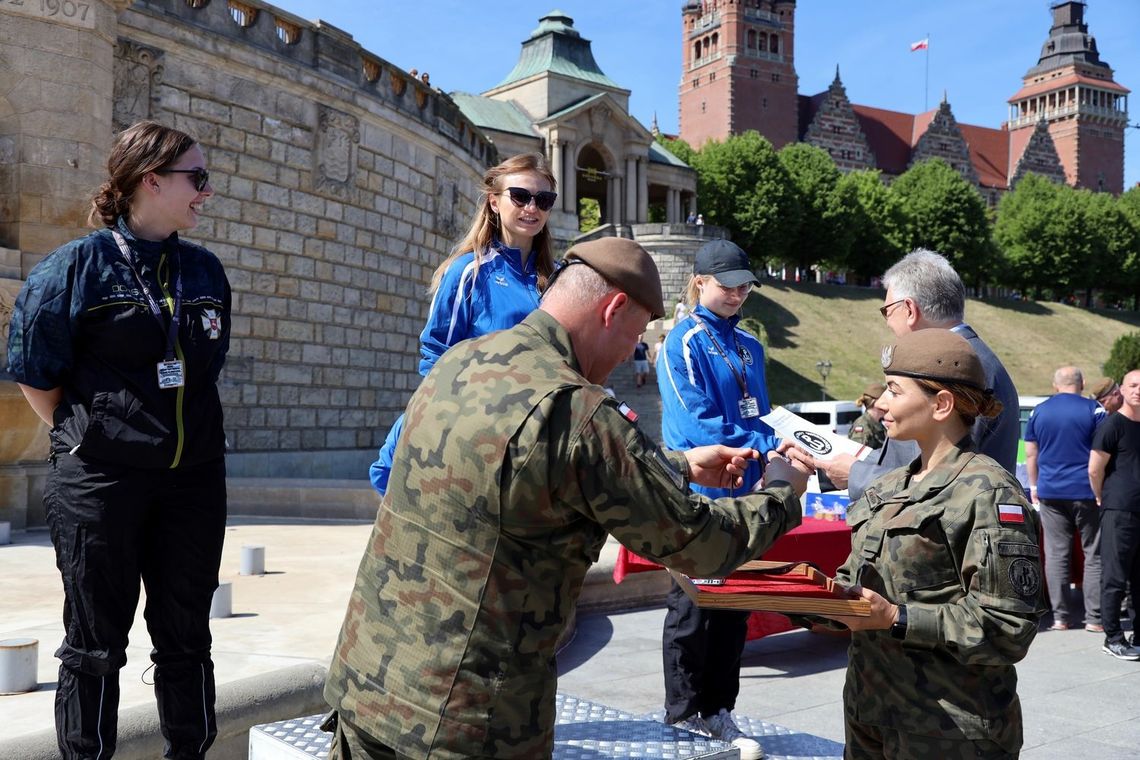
[[341, 184]]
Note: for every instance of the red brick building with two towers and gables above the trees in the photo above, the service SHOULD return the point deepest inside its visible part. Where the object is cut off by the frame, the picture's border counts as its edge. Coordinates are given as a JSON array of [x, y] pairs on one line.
[[1066, 122]]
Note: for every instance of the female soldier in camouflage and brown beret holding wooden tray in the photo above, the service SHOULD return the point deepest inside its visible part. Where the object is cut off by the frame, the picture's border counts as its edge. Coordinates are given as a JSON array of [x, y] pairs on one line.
[[947, 552]]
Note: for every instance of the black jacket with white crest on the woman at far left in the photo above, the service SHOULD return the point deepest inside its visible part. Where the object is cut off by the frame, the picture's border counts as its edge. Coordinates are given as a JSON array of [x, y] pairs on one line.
[[83, 323]]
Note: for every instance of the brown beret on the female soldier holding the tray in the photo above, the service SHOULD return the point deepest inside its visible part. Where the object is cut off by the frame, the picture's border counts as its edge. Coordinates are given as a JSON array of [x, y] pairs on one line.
[[937, 355]]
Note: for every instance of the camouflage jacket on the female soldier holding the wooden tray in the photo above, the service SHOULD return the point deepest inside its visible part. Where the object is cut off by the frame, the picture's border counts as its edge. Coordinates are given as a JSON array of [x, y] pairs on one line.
[[960, 550]]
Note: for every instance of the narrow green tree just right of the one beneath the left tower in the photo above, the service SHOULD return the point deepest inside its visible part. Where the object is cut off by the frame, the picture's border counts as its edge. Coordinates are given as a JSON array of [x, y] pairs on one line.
[[824, 235]]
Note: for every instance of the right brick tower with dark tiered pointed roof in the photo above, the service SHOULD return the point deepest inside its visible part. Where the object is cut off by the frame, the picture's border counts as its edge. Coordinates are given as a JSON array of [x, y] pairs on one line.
[[1073, 92]]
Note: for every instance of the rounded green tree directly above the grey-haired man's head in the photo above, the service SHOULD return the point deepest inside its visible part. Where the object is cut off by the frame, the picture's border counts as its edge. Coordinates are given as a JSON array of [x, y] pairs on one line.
[[947, 214]]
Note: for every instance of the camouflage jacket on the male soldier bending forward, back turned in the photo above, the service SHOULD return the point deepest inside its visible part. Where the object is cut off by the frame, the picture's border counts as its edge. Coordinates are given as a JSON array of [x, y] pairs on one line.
[[511, 471]]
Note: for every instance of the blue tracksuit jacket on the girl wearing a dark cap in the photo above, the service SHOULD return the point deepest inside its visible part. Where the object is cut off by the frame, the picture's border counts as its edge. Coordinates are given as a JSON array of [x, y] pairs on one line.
[[701, 396]]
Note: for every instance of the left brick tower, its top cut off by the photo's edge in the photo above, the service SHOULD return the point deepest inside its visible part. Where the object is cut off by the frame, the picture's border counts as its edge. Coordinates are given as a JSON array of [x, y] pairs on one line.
[[738, 70]]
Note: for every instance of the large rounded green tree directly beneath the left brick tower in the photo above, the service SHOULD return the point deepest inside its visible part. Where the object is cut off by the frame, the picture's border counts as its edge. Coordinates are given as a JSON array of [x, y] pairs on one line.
[[743, 186]]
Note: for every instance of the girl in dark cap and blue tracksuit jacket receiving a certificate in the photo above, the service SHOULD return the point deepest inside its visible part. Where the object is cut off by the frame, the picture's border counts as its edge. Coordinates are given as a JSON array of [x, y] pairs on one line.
[[711, 374]]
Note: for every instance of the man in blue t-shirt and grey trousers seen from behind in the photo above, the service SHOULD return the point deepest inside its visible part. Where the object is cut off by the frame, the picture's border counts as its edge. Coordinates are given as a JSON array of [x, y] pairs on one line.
[[1058, 438]]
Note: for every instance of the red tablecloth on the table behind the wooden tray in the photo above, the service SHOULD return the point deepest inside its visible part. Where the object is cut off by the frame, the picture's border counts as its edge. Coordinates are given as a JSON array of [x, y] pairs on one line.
[[825, 543]]
